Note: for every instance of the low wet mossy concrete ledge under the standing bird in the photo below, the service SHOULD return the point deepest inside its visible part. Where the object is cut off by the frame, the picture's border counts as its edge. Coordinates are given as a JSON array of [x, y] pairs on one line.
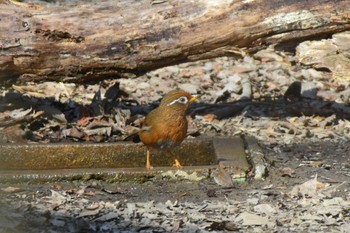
[[116, 160]]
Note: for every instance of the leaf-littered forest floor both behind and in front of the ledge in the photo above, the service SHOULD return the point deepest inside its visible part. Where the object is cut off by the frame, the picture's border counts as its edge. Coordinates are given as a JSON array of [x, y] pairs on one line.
[[298, 112]]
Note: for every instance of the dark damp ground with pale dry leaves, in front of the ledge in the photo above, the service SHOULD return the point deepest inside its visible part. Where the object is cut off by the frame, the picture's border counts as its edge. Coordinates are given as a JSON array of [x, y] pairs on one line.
[[283, 202]]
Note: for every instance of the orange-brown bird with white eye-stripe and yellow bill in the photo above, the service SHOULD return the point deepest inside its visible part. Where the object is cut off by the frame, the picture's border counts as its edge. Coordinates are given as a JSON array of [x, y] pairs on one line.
[[166, 126]]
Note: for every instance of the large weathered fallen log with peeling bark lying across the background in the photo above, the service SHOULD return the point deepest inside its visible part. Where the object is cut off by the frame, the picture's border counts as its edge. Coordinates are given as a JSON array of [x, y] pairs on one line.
[[93, 40]]
